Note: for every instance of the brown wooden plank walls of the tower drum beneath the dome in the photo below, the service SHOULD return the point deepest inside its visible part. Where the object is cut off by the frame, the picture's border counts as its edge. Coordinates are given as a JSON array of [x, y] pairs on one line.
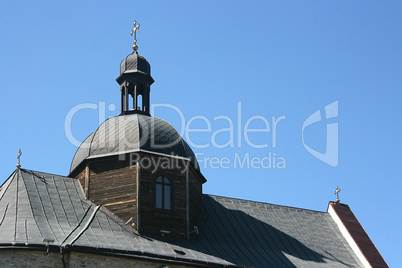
[[113, 184]]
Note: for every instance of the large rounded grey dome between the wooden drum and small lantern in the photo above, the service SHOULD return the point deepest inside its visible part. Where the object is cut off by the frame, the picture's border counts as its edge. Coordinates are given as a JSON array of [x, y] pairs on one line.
[[133, 133]]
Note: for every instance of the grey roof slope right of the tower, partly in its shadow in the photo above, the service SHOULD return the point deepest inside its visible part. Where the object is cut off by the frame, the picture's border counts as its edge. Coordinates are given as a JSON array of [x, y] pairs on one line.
[[255, 234]]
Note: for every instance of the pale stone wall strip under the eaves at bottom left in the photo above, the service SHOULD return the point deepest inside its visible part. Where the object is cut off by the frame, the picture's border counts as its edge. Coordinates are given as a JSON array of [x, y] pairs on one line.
[[30, 258]]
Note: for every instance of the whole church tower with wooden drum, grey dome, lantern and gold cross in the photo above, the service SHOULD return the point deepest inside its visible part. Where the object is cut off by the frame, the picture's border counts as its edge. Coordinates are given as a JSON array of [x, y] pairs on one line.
[[138, 166]]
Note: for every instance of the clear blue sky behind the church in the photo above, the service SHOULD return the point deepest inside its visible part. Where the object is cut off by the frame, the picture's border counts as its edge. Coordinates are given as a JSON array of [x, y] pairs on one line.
[[276, 58]]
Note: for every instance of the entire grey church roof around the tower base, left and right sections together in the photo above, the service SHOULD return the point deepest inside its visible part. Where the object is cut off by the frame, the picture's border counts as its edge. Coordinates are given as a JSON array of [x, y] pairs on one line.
[[35, 206]]
